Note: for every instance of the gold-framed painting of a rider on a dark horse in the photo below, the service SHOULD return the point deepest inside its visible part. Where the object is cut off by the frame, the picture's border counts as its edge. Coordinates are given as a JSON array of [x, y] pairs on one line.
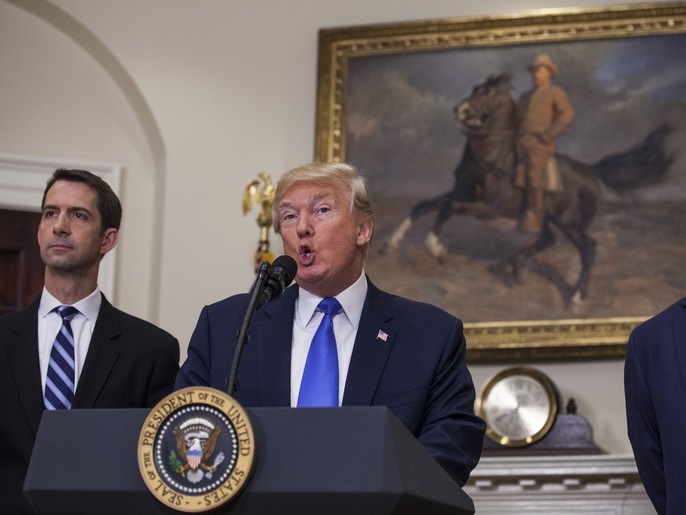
[[432, 114]]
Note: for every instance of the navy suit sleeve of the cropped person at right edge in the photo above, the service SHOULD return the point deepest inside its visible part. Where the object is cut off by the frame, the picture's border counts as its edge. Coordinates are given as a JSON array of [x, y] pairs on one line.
[[642, 423]]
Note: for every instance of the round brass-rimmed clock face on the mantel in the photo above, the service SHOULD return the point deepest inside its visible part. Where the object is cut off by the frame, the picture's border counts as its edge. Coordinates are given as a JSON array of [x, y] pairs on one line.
[[519, 406]]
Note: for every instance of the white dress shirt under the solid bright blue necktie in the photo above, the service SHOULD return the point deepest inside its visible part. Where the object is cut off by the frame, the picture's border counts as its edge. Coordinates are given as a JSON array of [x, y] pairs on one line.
[[306, 320]]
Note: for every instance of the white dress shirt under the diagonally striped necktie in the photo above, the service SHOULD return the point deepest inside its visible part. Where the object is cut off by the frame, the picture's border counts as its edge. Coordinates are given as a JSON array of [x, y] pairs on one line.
[[50, 322]]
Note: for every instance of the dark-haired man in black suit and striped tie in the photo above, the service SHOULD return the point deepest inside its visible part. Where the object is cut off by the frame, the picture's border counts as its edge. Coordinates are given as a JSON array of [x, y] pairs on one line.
[[116, 360]]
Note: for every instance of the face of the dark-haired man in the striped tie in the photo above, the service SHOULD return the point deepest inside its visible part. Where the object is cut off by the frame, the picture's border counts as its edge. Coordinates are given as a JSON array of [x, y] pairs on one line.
[[69, 233]]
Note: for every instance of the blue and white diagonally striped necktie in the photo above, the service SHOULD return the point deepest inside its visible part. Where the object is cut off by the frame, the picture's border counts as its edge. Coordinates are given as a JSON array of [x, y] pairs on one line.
[[59, 386]]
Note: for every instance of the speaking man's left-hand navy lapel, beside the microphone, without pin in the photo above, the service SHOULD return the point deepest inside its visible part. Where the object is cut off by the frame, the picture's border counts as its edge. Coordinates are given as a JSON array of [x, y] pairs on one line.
[[272, 334]]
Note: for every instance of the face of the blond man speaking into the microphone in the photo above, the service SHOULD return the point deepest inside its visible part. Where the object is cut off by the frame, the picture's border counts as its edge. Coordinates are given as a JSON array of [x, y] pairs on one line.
[[319, 232]]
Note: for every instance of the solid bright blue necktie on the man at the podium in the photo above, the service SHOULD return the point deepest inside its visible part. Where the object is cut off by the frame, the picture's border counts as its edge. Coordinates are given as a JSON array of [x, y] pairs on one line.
[[319, 387]]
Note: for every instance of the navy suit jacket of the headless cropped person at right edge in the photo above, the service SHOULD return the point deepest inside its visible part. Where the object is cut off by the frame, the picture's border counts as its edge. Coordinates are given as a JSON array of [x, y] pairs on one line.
[[655, 387]]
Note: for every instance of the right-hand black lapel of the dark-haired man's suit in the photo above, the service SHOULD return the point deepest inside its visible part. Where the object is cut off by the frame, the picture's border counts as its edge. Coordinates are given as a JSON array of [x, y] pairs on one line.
[[102, 354]]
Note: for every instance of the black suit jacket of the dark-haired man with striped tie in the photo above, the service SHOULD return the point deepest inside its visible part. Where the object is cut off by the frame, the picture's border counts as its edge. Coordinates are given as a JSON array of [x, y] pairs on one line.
[[130, 364]]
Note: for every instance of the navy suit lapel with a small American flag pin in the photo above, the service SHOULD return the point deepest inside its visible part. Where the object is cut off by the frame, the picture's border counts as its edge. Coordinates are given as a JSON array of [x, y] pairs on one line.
[[375, 337]]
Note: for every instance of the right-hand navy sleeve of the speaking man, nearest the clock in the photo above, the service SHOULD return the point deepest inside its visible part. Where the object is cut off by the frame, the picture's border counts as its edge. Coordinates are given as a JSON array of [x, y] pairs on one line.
[[450, 430]]
